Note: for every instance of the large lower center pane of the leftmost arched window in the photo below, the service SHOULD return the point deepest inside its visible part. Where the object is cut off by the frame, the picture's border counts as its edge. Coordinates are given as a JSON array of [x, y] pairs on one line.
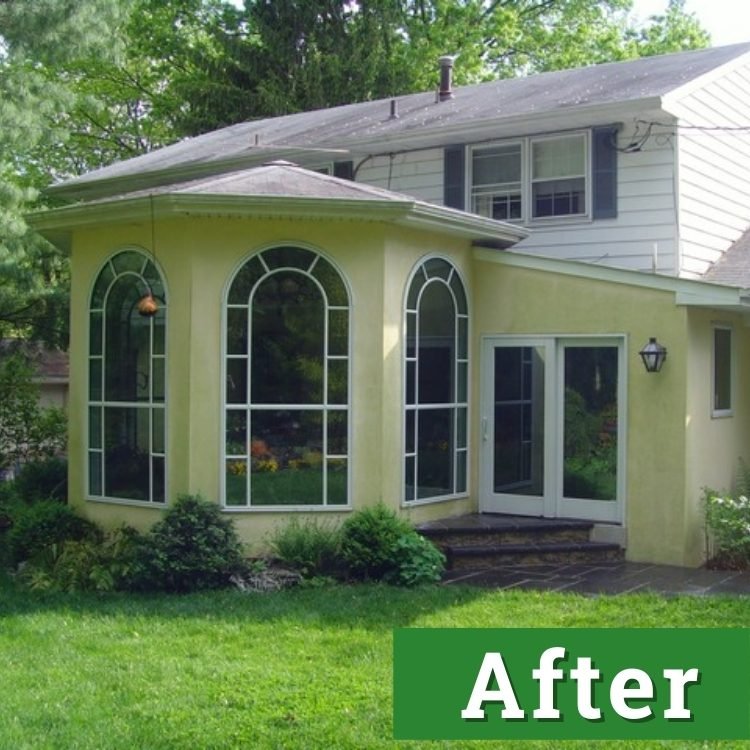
[[126, 453]]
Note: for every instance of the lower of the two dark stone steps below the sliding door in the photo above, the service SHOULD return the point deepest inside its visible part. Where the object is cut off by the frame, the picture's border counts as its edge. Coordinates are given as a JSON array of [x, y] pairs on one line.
[[479, 557]]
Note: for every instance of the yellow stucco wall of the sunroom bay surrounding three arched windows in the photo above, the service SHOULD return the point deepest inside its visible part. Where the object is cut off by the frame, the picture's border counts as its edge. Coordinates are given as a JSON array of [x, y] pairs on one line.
[[198, 257]]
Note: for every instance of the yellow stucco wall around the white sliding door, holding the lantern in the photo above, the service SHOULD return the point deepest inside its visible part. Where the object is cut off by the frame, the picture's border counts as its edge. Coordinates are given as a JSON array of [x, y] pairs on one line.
[[511, 300]]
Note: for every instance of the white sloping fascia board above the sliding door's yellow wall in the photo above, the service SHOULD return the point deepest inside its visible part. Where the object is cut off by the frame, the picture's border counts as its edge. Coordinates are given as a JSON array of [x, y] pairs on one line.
[[688, 292]]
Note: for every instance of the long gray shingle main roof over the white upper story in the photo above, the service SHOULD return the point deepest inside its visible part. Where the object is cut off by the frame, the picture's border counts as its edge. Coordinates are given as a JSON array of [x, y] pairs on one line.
[[330, 132]]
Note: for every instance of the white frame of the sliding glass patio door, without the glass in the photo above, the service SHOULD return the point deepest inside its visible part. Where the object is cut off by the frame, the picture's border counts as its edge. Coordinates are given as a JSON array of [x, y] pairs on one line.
[[551, 502]]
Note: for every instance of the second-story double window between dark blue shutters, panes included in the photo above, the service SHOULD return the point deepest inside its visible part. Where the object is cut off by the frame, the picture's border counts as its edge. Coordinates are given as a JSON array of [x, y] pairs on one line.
[[531, 179]]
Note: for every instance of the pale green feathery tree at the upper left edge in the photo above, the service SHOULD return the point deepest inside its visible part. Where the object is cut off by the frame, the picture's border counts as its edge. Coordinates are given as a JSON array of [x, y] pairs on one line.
[[36, 40]]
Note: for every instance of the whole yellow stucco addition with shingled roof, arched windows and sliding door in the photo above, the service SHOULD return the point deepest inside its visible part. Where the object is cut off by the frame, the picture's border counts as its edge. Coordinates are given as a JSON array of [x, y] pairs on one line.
[[287, 342]]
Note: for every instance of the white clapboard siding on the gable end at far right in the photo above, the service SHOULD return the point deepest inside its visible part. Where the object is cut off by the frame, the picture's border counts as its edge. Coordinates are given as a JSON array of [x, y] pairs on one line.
[[714, 168]]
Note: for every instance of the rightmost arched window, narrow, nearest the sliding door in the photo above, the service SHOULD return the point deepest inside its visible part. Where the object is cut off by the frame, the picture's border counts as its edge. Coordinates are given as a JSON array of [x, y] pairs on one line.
[[436, 372]]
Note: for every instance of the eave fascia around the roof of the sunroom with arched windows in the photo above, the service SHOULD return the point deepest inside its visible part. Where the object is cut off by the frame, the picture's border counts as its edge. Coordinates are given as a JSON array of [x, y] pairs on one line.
[[61, 221]]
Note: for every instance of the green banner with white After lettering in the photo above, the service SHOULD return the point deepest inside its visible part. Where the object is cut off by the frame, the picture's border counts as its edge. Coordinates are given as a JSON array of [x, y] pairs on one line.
[[605, 683]]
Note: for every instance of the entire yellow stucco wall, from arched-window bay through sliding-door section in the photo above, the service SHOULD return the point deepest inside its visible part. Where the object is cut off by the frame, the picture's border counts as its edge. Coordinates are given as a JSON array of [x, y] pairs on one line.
[[673, 446]]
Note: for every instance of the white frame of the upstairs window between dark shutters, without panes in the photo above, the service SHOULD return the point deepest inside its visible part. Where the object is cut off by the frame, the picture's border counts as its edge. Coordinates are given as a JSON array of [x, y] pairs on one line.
[[527, 181]]
